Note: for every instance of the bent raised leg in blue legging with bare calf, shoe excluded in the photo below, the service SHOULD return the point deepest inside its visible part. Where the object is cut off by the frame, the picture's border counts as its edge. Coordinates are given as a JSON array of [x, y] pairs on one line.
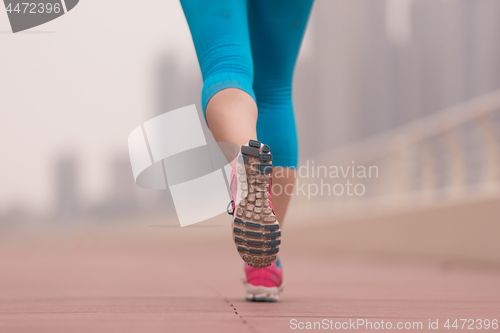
[[220, 35]]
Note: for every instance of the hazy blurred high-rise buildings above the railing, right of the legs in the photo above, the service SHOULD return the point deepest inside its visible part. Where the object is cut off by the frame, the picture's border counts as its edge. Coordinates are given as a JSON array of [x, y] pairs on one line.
[[379, 64]]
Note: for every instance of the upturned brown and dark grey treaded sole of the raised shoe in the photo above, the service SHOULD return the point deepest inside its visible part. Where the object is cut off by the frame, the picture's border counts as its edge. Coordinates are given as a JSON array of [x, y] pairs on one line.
[[256, 231]]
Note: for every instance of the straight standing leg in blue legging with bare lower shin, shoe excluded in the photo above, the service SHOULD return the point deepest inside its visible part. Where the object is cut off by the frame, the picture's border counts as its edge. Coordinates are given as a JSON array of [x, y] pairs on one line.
[[276, 30]]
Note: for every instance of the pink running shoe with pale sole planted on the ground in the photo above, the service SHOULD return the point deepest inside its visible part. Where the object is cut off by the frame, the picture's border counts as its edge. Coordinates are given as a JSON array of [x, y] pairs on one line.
[[264, 284]]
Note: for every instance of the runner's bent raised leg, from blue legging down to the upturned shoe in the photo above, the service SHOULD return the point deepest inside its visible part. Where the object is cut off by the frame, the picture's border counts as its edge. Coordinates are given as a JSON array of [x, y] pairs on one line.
[[221, 38]]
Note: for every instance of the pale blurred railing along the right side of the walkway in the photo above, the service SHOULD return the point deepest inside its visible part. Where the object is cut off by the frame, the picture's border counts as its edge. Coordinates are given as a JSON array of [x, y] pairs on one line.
[[449, 154]]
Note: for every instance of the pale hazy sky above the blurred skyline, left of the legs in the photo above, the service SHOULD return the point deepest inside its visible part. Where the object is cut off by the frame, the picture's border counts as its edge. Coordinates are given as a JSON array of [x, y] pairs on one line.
[[81, 84]]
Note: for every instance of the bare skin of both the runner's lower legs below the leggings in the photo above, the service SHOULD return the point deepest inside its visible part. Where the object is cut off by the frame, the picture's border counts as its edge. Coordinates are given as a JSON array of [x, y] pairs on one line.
[[232, 117]]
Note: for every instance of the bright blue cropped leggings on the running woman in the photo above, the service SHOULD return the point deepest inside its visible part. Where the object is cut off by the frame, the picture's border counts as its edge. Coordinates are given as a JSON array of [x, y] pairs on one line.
[[252, 45]]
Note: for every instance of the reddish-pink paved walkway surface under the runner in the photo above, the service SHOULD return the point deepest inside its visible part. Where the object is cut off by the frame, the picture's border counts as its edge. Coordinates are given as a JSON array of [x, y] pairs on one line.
[[167, 279]]
